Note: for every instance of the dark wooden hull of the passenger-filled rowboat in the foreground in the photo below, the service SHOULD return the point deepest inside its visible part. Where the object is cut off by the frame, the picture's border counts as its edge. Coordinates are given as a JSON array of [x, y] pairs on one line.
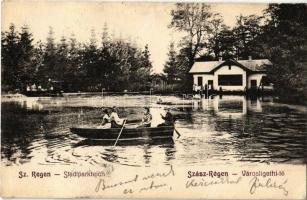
[[127, 133]]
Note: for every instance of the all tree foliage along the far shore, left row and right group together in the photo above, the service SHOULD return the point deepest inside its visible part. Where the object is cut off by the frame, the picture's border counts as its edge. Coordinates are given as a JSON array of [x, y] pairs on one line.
[[280, 35]]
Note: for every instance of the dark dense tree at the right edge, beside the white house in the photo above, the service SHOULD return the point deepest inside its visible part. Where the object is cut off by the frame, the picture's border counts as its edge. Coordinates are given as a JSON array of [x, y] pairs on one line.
[[285, 44]]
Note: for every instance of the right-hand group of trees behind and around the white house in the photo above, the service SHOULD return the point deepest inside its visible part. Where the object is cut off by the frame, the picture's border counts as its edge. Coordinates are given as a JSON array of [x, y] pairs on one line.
[[282, 39]]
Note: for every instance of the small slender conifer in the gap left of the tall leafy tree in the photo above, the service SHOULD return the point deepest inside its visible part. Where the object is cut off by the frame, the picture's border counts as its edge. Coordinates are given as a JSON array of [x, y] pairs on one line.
[[170, 67]]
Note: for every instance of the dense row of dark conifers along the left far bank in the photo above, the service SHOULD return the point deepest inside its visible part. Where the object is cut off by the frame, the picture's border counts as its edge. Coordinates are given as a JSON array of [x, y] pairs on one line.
[[116, 65]]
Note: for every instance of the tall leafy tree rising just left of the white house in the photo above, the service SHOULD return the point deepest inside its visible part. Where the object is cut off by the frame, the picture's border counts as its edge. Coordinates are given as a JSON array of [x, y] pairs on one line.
[[192, 19]]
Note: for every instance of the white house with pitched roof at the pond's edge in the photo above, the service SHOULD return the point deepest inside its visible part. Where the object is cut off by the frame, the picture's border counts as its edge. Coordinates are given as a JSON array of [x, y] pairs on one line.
[[229, 75]]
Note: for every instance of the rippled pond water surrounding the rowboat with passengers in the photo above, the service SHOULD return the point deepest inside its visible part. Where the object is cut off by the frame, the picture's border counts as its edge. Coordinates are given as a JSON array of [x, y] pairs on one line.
[[223, 130]]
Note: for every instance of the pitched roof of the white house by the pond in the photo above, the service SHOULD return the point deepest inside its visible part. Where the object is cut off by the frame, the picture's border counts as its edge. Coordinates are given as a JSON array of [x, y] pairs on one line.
[[210, 66]]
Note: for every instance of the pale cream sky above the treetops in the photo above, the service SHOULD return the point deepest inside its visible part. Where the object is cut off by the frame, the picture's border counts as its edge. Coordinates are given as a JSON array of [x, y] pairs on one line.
[[142, 23]]
